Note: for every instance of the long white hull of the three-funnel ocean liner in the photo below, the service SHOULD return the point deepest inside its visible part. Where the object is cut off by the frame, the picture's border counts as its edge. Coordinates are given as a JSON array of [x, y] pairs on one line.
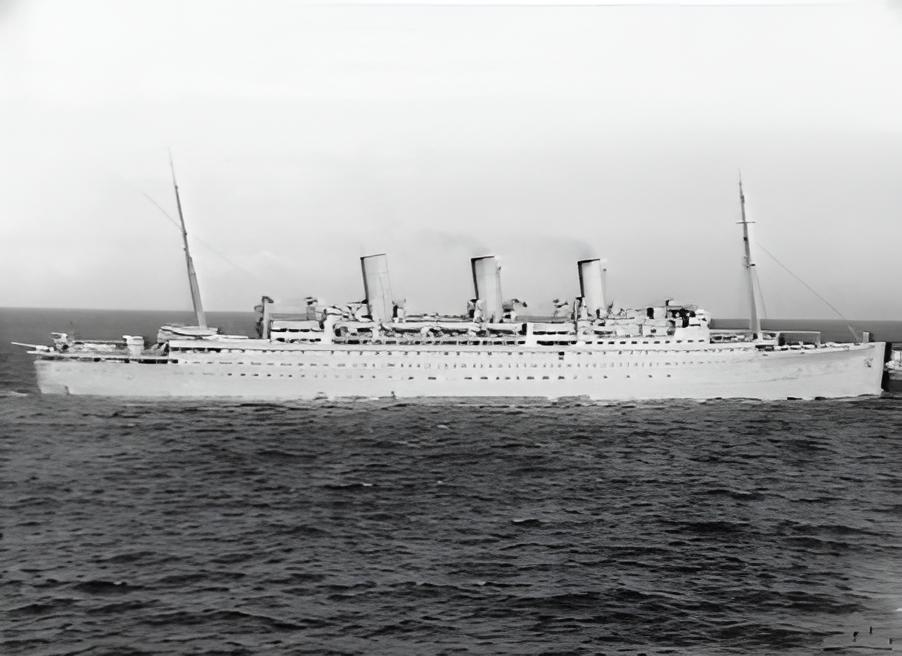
[[262, 371]]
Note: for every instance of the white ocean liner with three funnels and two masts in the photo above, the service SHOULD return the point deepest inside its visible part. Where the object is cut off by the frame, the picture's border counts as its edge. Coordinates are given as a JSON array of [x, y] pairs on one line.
[[375, 349]]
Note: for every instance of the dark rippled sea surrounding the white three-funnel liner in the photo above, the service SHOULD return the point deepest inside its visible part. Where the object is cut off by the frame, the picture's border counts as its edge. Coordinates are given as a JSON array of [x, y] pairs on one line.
[[388, 527]]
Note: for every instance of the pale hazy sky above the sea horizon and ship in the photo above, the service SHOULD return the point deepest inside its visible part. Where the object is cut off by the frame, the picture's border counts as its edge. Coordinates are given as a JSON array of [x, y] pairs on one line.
[[305, 135]]
